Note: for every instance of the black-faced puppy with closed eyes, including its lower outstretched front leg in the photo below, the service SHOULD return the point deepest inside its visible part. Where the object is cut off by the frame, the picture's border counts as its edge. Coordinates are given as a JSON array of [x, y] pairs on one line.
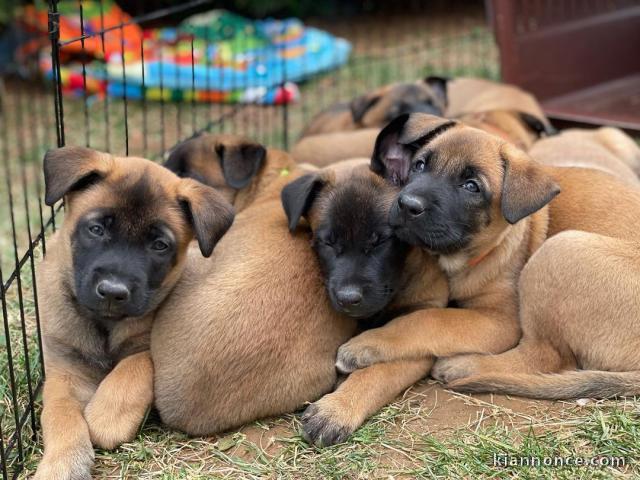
[[367, 277]]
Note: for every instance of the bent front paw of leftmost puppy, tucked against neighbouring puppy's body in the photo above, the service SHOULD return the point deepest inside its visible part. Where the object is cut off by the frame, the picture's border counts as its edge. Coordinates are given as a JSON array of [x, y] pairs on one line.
[[108, 428]]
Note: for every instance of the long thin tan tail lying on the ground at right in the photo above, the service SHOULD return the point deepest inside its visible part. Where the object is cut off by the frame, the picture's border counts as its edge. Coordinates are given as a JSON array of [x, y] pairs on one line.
[[555, 386]]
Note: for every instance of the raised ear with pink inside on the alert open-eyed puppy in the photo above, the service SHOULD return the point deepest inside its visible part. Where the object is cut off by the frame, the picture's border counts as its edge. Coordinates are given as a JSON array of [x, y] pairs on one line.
[[399, 140]]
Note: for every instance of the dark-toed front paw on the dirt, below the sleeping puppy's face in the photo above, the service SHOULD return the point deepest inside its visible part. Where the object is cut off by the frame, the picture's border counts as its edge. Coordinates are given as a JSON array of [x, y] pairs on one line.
[[326, 422]]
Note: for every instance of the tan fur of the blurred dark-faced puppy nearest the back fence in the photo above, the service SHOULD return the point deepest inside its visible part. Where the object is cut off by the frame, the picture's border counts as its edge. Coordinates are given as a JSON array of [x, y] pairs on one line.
[[340, 117]]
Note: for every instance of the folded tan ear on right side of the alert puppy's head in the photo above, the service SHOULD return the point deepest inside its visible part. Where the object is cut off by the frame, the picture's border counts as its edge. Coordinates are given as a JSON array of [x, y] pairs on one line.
[[526, 187]]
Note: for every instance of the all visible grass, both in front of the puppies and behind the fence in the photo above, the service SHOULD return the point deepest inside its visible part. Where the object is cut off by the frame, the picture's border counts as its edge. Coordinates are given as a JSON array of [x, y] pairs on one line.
[[426, 433]]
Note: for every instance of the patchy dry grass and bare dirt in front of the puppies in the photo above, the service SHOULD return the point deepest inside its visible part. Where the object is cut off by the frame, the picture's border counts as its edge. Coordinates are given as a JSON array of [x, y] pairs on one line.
[[407, 439]]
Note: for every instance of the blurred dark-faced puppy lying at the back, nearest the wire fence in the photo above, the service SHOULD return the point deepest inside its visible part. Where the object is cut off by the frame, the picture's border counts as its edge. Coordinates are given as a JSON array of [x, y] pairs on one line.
[[377, 108]]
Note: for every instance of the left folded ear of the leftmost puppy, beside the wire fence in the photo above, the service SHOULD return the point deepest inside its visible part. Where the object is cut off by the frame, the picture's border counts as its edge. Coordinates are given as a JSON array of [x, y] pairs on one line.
[[70, 168]]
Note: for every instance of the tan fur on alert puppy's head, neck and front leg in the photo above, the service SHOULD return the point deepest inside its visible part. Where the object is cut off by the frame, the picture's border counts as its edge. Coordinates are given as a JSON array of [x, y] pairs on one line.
[[487, 320]]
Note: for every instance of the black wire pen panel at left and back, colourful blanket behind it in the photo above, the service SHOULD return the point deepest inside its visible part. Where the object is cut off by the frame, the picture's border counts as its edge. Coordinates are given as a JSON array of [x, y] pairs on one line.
[[117, 85]]
